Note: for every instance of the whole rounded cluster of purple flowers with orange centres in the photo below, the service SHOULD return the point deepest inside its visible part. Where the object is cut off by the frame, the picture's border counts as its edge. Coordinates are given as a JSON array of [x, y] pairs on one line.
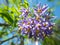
[[38, 26]]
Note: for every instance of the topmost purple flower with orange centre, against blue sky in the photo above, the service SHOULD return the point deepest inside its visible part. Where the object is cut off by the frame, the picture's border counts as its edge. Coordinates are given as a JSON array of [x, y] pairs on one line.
[[40, 10]]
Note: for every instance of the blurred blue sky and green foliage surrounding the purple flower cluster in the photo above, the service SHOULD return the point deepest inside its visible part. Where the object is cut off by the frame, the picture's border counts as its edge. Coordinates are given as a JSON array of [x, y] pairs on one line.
[[9, 16]]
